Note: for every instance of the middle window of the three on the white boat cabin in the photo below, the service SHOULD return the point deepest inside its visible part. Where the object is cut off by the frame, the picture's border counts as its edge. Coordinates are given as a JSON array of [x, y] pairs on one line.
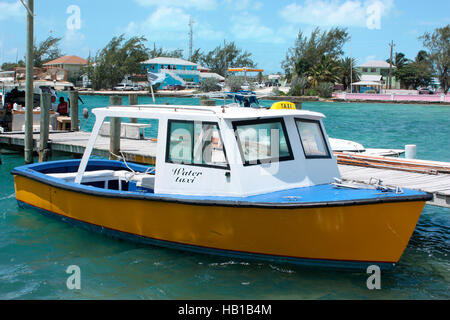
[[263, 141]]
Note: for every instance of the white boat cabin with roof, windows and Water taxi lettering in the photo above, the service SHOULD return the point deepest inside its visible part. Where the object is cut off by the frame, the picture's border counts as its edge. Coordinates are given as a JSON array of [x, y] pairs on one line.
[[227, 151]]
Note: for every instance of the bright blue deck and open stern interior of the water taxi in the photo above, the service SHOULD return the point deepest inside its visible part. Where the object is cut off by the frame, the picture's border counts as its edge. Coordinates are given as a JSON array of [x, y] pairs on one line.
[[54, 173]]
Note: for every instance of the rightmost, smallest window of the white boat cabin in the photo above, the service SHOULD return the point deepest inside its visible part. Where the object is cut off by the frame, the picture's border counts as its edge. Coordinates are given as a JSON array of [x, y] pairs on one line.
[[312, 138]]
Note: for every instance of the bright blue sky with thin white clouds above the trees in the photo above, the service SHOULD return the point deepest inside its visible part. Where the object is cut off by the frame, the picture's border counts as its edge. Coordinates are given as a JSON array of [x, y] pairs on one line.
[[264, 28]]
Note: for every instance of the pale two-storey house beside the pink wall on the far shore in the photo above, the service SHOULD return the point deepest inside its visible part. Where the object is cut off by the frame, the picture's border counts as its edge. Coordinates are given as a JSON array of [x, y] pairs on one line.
[[374, 76]]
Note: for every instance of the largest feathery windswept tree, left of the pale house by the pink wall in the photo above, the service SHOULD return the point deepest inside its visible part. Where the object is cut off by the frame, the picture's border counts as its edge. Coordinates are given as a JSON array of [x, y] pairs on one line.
[[308, 52]]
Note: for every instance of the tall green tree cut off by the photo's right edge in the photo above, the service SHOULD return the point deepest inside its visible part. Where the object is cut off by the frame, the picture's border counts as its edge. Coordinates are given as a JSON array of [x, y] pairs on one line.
[[438, 45]]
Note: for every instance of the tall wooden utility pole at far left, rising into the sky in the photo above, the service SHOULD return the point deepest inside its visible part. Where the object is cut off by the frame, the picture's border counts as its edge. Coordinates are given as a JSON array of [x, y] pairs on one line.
[[29, 101]]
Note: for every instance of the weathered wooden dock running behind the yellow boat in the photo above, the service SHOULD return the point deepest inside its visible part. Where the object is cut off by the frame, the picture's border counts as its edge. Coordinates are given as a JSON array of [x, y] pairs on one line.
[[428, 176]]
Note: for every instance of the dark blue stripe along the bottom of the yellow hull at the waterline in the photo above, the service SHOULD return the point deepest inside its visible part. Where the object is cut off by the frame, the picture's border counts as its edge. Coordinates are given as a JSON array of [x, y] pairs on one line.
[[317, 263]]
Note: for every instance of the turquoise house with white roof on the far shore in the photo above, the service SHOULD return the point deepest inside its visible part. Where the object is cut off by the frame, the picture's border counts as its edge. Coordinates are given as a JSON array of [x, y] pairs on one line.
[[177, 71]]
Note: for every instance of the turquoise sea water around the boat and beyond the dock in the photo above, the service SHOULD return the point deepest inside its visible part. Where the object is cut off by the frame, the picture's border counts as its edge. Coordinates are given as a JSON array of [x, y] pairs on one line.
[[35, 251]]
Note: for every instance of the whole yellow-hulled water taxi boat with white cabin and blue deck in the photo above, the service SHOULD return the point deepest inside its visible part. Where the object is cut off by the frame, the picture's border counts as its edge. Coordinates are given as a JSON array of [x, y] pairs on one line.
[[239, 182]]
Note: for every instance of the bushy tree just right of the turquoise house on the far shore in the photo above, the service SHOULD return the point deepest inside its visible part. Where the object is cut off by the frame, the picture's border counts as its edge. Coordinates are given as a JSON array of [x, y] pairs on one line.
[[228, 56]]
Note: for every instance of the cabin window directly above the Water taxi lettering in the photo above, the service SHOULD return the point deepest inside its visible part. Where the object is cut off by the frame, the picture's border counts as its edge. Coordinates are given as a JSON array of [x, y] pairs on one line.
[[195, 143]]
